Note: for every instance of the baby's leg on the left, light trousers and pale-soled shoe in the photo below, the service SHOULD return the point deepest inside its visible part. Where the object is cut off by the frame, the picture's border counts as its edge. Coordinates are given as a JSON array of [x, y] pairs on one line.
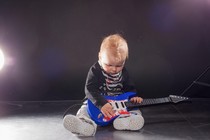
[[81, 124]]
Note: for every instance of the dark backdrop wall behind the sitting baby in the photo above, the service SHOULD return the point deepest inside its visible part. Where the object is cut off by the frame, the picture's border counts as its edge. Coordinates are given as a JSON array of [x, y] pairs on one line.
[[50, 45]]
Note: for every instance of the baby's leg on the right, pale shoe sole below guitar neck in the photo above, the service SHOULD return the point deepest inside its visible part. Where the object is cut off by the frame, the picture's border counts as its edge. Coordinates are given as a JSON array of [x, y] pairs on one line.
[[135, 121]]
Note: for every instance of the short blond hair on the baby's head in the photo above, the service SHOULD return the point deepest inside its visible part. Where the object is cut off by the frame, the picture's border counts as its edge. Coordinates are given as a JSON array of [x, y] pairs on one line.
[[116, 46]]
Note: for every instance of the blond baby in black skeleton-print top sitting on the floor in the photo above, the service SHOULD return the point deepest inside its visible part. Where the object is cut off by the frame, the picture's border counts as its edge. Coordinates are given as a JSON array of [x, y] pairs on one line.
[[109, 77]]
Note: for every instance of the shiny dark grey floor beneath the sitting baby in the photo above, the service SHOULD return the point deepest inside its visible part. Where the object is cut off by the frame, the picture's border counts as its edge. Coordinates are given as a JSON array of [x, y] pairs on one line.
[[43, 121]]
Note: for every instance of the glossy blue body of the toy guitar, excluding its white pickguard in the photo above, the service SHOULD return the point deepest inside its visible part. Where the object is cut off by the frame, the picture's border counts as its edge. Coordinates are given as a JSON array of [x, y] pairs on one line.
[[97, 116]]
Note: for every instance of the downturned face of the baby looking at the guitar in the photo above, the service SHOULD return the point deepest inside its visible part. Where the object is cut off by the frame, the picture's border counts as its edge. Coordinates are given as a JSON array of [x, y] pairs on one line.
[[110, 65]]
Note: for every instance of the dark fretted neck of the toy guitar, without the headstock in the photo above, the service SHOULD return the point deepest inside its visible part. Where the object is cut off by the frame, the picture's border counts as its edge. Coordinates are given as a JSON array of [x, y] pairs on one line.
[[146, 102]]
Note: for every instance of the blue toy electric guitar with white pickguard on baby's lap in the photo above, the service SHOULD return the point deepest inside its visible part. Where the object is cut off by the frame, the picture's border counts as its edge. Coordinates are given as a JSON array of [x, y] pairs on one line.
[[121, 105]]
